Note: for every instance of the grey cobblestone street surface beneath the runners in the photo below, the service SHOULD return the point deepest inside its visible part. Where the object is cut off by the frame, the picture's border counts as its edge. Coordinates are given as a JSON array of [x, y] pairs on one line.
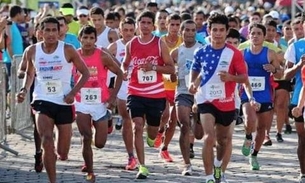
[[278, 162]]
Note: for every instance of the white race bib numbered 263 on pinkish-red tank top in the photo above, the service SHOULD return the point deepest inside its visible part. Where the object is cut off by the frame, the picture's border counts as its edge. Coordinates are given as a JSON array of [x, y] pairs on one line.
[[91, 95]]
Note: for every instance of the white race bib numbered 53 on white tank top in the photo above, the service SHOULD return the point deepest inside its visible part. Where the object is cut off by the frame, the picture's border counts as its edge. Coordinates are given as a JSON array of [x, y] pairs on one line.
[[53, 87]]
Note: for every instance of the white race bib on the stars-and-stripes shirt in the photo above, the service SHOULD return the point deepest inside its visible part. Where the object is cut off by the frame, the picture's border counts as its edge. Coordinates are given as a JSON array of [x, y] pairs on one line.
[[215, 91]]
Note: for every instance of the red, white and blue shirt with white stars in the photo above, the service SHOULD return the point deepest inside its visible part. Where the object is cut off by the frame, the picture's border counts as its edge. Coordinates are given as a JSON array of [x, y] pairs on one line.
[[209, 62]]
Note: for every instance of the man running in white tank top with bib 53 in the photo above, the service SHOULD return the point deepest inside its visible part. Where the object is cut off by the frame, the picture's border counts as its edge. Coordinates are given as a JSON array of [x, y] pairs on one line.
[[51, 60]]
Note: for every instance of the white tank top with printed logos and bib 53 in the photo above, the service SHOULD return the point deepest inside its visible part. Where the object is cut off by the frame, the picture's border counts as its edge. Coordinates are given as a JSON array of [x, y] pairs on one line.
[[53, 75]]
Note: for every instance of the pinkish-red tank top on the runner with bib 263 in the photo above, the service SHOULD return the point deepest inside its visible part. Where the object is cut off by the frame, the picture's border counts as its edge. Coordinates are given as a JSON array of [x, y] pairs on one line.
[[95, 90]]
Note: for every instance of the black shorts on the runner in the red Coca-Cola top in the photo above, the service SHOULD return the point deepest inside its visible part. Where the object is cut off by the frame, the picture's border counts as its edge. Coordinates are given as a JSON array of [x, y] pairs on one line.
[[151, 108]]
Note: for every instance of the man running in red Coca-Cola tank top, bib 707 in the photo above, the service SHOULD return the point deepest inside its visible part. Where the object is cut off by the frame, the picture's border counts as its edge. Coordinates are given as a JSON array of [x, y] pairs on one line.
[[146, 95]]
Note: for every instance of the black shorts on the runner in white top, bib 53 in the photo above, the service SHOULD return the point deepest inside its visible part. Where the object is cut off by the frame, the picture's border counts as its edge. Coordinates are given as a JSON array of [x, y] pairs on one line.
[[61, 114]]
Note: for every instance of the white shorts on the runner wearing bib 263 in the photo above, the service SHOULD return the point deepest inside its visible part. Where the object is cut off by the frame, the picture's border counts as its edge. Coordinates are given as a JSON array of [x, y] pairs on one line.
[[96, 111]]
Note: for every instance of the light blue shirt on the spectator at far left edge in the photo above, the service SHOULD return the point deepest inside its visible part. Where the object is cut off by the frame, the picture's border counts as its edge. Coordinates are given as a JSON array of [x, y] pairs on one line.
[[16, 39]]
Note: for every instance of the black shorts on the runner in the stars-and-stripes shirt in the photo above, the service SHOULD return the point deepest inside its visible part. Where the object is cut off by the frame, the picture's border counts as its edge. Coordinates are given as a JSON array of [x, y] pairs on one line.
[[224, 118]]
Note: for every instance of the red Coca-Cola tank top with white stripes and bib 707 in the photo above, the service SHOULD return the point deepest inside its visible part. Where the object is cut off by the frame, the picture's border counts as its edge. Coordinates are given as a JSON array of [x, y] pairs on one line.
[[146, 84]]
